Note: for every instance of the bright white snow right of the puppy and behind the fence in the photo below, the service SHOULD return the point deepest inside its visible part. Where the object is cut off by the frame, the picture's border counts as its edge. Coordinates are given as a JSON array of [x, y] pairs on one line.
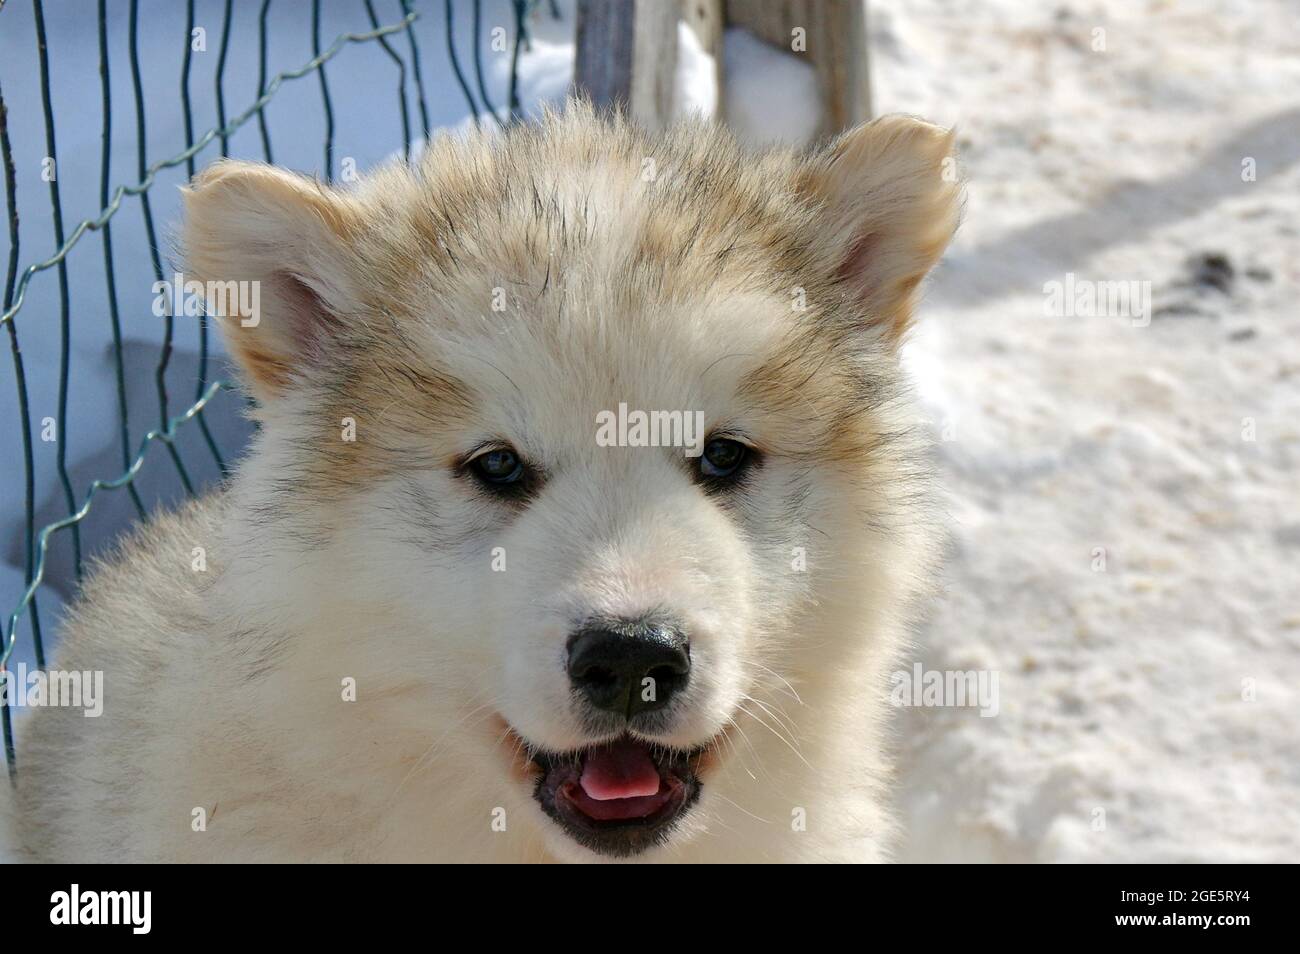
[[1124, 495]]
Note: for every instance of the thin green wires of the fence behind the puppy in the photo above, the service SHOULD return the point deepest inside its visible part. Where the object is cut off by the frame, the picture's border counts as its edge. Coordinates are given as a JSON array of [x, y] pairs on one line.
[[111, 201]]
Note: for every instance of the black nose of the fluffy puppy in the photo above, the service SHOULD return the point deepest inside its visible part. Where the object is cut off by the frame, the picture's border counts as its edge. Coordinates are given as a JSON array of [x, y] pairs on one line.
[[629, 669]]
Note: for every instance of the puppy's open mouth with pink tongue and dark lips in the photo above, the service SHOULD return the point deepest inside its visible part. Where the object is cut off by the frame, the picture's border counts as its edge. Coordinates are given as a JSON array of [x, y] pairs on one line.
[[619, 797]]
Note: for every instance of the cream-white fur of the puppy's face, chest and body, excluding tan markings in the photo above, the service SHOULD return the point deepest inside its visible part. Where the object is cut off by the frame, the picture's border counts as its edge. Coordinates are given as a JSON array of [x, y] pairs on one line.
[[224, 688]]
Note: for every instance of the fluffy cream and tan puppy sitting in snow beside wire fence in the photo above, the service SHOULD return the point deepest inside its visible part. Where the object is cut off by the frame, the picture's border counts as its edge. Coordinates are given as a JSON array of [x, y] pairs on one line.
[[584, 523]]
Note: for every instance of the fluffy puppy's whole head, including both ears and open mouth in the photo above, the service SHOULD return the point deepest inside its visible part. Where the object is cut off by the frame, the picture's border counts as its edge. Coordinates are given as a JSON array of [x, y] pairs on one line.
[[622, 415]]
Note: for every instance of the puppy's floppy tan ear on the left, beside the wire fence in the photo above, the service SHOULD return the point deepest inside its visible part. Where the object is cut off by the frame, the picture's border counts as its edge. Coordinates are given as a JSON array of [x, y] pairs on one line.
[[289, 238]]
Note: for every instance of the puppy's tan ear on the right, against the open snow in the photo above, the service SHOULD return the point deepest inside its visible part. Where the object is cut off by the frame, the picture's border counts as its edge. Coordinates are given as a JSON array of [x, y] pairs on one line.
[[890, 201]]
